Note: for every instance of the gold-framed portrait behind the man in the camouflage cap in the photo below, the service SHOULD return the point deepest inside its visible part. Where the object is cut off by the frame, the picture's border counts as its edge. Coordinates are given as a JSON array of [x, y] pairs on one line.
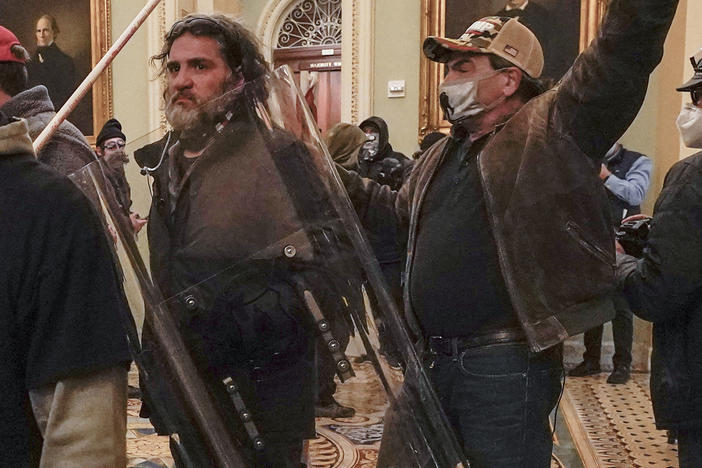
[[563, 27]]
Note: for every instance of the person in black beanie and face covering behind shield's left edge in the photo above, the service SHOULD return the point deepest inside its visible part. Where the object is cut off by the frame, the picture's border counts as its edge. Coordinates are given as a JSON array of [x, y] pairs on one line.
[[109, 147]]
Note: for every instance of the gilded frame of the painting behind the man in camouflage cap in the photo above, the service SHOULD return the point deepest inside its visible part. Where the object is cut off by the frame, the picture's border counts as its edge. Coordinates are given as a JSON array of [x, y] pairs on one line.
[[432, 24]]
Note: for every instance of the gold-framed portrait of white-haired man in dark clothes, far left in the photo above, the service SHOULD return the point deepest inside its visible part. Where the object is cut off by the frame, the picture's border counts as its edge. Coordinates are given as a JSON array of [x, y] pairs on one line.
[[66, 39]]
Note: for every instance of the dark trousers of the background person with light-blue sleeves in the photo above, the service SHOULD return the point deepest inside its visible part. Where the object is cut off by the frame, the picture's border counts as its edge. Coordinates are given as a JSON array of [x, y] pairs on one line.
[[623, 334]]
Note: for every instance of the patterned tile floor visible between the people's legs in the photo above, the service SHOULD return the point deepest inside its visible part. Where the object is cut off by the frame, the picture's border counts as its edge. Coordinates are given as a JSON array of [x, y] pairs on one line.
[[597, 425]]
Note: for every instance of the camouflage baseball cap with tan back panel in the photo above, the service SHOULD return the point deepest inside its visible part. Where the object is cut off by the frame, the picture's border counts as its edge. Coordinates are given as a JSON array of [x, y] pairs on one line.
[[498, 35]]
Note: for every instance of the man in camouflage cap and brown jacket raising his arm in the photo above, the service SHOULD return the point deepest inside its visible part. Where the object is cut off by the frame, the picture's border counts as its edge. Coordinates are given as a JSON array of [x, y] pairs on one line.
[[510, 249]]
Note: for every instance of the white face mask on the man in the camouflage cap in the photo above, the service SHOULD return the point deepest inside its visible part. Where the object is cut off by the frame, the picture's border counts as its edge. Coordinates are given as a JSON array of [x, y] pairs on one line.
[[459, 98]]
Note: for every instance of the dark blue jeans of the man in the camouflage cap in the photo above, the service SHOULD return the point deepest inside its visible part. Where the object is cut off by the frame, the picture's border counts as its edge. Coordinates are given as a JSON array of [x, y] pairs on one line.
[[499, 398]]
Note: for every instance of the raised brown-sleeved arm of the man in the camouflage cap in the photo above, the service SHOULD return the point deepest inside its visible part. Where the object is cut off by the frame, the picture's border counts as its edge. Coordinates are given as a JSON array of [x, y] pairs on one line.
[[603, 91]]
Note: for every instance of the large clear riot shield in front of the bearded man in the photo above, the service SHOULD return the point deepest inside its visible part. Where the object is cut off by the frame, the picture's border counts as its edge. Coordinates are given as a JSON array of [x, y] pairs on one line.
[[263, 303]]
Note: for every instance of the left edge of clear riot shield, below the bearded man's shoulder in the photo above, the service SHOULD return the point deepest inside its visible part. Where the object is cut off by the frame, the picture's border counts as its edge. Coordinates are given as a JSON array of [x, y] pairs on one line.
[[145, 309]]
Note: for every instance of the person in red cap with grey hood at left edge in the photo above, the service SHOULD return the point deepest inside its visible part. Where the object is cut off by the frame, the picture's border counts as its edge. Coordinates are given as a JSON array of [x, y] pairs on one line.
[[67, 150]]
